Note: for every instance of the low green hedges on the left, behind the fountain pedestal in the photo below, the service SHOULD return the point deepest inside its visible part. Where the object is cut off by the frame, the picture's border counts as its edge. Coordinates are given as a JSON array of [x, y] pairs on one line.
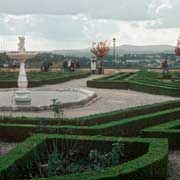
[[9, 79]]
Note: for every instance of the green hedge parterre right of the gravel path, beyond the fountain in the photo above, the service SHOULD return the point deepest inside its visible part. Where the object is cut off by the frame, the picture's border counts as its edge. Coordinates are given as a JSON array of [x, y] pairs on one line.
[[143, 81]]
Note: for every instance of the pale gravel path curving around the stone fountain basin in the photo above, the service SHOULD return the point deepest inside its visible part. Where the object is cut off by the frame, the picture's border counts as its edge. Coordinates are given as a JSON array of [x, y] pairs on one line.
[[108, 100]]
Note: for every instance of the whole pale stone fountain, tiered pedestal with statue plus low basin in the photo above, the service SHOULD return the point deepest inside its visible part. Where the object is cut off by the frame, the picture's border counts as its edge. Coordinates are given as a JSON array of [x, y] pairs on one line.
[[23, 99]]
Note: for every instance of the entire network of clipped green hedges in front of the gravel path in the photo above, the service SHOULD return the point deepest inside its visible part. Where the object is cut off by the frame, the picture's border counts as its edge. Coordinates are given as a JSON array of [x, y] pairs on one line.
[[147, 132]]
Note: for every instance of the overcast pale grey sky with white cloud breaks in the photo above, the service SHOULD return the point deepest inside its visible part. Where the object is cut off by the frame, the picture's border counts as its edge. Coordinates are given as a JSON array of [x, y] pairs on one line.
[[66, 24]]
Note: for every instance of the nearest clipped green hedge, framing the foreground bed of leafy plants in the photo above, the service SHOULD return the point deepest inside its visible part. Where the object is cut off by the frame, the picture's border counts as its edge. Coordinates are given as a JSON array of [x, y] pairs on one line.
[[151, 165]]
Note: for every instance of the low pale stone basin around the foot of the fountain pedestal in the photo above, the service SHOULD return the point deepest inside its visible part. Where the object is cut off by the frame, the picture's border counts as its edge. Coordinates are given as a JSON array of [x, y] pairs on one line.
[[41, 100]]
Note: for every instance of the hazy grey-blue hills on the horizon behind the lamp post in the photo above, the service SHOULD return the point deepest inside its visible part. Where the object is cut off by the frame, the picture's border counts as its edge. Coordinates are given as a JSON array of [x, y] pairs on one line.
[[124, 49]]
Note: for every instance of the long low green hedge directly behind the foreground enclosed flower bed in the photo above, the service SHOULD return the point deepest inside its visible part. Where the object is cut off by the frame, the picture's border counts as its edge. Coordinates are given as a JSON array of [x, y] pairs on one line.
[[127, 126]]
